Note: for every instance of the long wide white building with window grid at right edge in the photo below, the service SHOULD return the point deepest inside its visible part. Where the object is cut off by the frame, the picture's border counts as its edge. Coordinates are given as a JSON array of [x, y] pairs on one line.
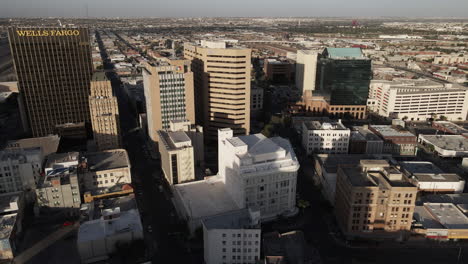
[[419, 99]]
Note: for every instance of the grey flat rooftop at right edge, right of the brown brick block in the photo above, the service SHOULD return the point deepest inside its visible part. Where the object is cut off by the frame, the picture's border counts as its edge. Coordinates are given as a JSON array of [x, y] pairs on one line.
[[448, 215]]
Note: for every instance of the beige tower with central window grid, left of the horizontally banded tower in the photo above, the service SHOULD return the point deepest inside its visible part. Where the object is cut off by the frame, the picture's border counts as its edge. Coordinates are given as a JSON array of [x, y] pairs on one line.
[[169, 96]]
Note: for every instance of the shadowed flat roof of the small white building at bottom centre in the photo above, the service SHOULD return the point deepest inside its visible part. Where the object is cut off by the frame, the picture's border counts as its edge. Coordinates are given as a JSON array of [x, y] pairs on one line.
[[238, 219]]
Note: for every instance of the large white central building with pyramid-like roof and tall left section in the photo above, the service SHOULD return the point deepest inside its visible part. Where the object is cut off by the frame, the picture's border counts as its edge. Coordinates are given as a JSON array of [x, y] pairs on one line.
[[259, 172]]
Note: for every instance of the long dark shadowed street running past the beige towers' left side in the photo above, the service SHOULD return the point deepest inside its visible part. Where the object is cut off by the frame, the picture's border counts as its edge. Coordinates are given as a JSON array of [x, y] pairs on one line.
[[155, 206]]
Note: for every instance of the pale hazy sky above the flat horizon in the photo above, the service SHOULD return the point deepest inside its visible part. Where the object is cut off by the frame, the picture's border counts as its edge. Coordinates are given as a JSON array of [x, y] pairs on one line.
[[219, 8]]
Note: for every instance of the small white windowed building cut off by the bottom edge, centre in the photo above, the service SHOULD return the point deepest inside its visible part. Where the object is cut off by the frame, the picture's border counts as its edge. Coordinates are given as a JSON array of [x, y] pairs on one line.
[[232, 237]]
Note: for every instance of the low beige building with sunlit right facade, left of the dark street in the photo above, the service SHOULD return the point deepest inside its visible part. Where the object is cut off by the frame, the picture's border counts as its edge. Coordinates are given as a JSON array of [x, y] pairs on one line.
[[101, 170]]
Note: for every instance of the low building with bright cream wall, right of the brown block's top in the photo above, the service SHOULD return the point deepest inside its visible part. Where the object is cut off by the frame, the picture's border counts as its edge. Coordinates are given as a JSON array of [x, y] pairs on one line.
[[429, 178]]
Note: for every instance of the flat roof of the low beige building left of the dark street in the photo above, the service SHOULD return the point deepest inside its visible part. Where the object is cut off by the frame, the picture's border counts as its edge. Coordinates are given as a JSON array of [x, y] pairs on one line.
[[107, 160]]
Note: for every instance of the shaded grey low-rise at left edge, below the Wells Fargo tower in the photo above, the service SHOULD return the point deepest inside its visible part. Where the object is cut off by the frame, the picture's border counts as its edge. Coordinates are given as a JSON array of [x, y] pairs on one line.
[[20, 169]]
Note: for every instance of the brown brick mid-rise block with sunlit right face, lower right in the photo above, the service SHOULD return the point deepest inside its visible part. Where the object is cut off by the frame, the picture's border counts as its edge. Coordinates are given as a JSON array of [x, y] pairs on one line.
[[374, 200]]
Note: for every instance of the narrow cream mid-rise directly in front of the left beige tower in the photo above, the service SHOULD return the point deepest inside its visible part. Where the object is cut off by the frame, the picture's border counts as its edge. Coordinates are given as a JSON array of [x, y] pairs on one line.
[[181, 149]]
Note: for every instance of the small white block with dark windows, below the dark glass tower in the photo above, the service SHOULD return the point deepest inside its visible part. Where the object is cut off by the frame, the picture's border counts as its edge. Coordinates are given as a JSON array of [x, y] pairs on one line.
[[325, 137]]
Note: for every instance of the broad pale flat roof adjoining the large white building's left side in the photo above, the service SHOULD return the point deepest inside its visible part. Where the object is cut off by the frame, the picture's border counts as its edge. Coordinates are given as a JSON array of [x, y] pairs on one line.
[[205, 198]]
